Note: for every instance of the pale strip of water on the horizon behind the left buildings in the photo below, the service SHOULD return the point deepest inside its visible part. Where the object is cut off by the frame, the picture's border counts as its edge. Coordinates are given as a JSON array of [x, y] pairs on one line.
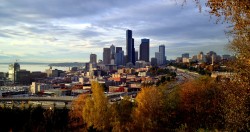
[[31, 67]]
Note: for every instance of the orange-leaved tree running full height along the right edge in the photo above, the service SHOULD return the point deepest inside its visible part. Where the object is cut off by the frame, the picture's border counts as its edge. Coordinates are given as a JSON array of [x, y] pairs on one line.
[[237, 14]]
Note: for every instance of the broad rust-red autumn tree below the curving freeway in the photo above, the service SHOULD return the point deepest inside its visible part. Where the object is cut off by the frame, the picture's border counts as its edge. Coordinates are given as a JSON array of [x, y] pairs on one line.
[[201, 104]]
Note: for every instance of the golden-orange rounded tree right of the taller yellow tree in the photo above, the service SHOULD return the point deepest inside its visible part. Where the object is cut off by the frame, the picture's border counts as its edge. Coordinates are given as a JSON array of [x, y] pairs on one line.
[[149, 115]]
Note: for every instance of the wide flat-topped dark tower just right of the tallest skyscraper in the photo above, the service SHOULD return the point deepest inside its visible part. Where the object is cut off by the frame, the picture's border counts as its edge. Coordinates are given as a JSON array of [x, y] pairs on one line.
[[144, 50]]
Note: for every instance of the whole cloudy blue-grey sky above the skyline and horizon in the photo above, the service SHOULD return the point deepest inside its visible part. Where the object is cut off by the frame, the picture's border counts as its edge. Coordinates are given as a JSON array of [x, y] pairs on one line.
[[70, 30]]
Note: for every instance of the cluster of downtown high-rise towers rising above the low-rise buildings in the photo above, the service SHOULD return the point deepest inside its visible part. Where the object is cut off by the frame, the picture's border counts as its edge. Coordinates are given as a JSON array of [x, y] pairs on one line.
[[130, 57]]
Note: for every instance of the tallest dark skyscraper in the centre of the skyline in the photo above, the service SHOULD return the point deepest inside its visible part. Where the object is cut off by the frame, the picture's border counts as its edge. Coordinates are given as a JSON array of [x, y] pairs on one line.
[[129, 46]]
